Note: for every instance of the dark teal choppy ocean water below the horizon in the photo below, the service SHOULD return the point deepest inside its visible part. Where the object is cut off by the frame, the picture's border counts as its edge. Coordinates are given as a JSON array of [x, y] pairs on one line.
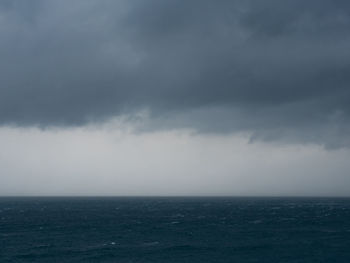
[[174, 230]]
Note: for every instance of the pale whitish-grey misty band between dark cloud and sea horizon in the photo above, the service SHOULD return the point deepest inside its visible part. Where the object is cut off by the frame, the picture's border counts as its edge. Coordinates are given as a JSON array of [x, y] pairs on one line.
[[116, 161]]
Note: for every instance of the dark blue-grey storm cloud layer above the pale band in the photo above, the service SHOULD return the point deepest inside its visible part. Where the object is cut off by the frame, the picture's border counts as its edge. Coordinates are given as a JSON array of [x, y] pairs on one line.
[[277, 69]]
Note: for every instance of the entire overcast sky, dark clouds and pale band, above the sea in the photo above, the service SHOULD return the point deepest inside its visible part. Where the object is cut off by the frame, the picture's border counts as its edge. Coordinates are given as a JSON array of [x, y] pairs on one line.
[[183, 97]]
